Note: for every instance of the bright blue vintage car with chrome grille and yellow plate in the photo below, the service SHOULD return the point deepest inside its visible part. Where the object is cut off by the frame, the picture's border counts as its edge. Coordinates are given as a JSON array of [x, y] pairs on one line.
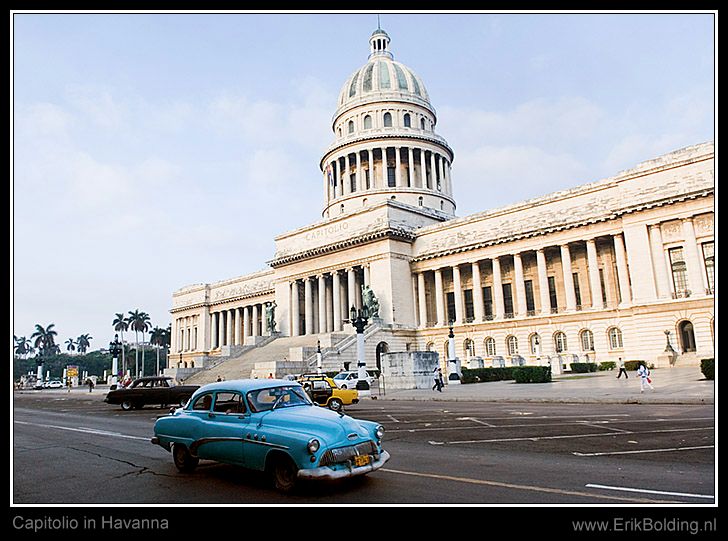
[[270, 425]]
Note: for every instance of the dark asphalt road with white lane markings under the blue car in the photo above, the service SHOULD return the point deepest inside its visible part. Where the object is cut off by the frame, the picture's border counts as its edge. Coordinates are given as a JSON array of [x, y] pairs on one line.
[[75, 450]]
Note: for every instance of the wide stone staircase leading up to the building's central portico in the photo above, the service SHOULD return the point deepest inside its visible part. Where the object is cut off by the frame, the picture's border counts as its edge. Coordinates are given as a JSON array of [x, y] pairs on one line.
[[278, 356]]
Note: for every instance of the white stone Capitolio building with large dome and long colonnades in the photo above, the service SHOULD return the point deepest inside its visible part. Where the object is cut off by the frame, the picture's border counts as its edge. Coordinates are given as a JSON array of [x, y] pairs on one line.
[[618, 268]]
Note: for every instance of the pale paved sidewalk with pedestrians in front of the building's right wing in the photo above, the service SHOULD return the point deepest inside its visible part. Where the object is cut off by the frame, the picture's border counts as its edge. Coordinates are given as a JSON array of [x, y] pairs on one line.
[[685, 385]]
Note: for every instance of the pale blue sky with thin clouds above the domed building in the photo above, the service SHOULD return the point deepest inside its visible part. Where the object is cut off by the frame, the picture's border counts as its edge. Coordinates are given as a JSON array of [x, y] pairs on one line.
[[184, 143]]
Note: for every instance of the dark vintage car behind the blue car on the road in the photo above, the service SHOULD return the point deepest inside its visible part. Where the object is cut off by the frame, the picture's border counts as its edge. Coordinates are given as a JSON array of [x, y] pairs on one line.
[[151, 390]]
